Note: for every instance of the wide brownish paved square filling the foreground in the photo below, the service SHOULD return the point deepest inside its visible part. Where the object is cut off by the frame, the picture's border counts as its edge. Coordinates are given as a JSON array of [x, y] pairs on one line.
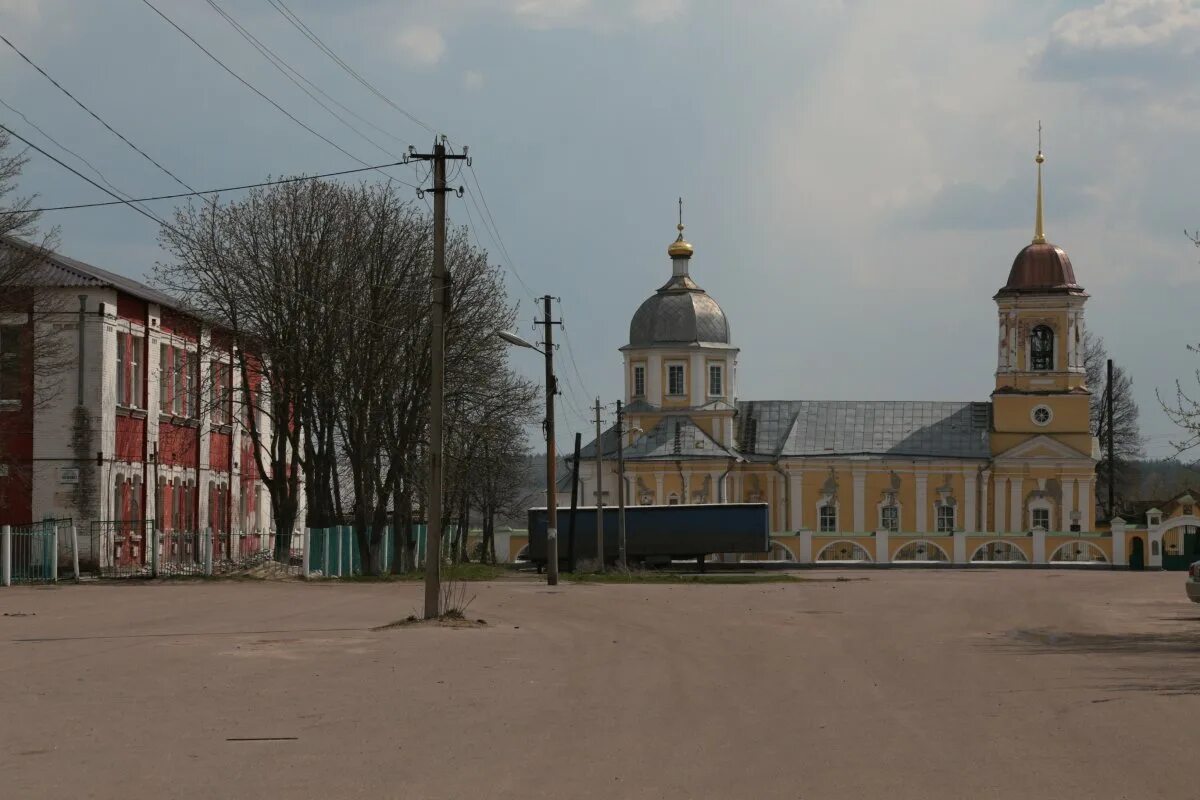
[[907, 684]]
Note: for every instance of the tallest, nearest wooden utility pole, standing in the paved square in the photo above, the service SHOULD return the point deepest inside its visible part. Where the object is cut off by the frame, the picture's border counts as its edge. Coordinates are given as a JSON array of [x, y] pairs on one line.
[[440, 300]]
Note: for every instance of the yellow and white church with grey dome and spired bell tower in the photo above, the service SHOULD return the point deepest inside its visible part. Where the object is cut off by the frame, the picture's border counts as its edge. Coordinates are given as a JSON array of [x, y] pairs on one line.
[[1007, 479]]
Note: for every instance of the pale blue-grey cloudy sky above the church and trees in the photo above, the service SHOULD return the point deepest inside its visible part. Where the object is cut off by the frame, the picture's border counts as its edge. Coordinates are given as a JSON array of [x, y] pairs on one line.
[[857, 177]]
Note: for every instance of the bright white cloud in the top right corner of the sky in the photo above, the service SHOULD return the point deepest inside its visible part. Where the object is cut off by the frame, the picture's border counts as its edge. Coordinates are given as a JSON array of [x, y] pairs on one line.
[[1124, 46]]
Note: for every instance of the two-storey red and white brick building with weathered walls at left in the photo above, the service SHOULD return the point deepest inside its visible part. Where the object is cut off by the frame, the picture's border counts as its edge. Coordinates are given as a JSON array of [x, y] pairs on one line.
[[145, 424]]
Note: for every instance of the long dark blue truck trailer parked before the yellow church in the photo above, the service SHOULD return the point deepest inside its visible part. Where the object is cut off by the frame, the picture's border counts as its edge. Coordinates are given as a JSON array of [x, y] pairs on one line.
[[657, 534]]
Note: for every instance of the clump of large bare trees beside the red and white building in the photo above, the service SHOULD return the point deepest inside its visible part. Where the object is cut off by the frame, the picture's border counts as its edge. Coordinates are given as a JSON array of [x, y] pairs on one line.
[[326, 290]]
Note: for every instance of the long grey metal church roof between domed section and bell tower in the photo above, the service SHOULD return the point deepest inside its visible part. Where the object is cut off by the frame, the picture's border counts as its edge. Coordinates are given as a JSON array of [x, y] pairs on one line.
[[931, 430]]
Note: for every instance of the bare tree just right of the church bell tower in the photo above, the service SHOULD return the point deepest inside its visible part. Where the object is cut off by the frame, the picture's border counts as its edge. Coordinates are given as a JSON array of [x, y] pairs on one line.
[[1126, 434]]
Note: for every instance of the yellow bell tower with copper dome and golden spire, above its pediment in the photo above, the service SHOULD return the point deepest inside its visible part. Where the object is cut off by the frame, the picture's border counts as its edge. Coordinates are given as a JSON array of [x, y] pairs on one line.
[[1041, 381]]
